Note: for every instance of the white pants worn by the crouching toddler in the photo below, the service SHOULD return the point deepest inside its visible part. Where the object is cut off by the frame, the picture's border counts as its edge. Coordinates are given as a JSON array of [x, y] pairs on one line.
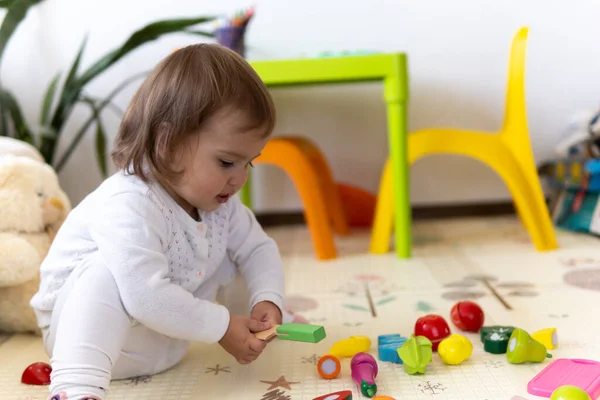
[[91, 338]]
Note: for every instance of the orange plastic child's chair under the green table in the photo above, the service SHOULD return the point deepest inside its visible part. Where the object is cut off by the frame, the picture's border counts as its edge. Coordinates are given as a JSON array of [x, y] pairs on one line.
[[304, 163]]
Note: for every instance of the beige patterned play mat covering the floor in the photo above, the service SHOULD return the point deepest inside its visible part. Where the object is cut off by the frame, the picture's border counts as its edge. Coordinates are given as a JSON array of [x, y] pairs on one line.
[[490, 261]]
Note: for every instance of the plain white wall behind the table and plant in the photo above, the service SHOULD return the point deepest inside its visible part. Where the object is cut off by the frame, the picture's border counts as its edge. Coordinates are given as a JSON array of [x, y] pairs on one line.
[[457, 56]]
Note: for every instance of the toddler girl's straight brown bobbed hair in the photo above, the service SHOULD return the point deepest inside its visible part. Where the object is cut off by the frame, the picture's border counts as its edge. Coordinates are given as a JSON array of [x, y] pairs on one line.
[[186, 89]]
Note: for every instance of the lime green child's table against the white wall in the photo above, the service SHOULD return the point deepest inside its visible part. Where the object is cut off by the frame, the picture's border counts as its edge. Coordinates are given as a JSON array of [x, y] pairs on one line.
[[390, 69]]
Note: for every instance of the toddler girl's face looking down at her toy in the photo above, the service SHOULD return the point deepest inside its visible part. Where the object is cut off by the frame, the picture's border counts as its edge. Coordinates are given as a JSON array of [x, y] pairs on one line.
[[216, 161]]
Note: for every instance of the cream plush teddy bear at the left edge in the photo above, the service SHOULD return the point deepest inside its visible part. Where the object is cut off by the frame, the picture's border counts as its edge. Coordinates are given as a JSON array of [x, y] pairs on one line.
[[32, 209]]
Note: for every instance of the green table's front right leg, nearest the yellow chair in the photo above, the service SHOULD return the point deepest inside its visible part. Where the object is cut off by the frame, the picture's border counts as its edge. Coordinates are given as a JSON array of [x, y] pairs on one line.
[[398, 140]]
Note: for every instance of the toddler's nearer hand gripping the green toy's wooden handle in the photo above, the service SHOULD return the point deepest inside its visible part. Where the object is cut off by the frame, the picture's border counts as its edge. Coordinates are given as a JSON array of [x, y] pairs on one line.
[[239, 340]]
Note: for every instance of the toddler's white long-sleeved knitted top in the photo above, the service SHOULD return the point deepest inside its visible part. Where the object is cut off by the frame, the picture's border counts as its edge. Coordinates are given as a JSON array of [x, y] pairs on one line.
[[159, 256]]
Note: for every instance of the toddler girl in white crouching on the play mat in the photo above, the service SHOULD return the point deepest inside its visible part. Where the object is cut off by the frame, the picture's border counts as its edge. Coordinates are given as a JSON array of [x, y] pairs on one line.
[[133, 274]]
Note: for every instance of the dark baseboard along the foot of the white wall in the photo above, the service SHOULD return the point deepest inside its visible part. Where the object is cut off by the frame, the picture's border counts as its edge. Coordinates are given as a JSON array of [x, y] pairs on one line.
[[418, 213]]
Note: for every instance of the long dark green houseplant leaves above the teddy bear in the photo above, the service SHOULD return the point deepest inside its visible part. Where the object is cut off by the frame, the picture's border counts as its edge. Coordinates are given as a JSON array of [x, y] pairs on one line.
[[60, 100]]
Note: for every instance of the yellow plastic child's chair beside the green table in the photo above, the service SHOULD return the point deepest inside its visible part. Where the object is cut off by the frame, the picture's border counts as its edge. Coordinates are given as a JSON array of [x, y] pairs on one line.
[[508, 152]]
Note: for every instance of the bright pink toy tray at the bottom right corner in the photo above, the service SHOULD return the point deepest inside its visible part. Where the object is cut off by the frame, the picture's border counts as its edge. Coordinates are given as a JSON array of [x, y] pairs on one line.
[[584, 374]]
